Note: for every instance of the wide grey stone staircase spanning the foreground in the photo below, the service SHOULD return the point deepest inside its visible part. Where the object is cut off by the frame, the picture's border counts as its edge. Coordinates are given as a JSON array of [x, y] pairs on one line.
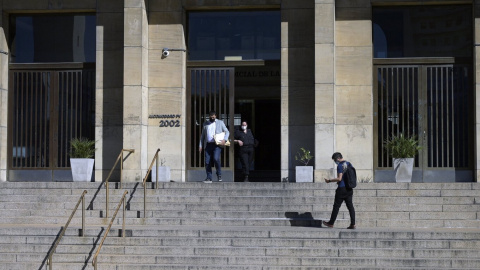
[[243, 226]]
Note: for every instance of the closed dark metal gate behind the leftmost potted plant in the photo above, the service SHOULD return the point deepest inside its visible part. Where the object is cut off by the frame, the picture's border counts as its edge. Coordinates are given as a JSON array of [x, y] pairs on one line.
[[48, 106]]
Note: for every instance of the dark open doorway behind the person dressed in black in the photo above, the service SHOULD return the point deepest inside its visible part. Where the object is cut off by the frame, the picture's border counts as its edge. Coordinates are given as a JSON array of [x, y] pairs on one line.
[[257, 101]]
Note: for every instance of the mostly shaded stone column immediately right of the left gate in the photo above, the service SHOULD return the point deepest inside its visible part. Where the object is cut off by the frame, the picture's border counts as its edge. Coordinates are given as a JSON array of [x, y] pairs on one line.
[[109, 87]]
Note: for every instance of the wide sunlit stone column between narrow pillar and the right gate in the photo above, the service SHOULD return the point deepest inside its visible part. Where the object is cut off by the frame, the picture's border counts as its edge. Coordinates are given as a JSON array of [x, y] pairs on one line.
[[353, 84]]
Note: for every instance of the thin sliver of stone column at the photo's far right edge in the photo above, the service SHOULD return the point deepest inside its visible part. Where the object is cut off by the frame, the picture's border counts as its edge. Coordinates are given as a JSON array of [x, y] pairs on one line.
[[477, 88]]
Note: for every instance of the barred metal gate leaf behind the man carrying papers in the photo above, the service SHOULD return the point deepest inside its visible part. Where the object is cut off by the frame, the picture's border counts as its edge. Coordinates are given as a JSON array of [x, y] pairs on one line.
[[208, 89]]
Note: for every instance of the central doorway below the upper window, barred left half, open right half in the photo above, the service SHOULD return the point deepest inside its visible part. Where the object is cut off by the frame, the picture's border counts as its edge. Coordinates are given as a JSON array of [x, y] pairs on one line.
[[236, 94]]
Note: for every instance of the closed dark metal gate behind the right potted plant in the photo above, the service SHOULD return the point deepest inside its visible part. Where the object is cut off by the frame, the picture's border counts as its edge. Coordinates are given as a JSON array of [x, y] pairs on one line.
[[432, 102]]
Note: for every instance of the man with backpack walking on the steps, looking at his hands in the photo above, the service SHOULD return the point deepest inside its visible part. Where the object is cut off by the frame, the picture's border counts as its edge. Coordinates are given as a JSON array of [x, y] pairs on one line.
[[344, 190]]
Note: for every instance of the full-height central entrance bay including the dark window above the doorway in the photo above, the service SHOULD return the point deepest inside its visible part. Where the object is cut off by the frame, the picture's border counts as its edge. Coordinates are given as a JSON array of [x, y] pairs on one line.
[[234, 69]]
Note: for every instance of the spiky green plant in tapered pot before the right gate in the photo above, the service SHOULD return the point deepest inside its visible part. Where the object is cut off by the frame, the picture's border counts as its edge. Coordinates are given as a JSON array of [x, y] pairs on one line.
[[403, 150]]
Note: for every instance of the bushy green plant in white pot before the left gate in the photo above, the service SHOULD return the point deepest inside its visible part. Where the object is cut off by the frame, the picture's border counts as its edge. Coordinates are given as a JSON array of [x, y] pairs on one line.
[[81, 158]]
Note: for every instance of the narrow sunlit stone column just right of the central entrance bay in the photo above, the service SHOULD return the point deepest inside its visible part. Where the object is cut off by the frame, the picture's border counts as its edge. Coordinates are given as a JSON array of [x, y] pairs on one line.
[[324, 87]]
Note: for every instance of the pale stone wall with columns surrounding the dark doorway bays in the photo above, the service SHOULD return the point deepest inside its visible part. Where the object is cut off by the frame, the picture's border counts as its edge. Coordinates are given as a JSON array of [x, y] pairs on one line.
[[326, 80]]
